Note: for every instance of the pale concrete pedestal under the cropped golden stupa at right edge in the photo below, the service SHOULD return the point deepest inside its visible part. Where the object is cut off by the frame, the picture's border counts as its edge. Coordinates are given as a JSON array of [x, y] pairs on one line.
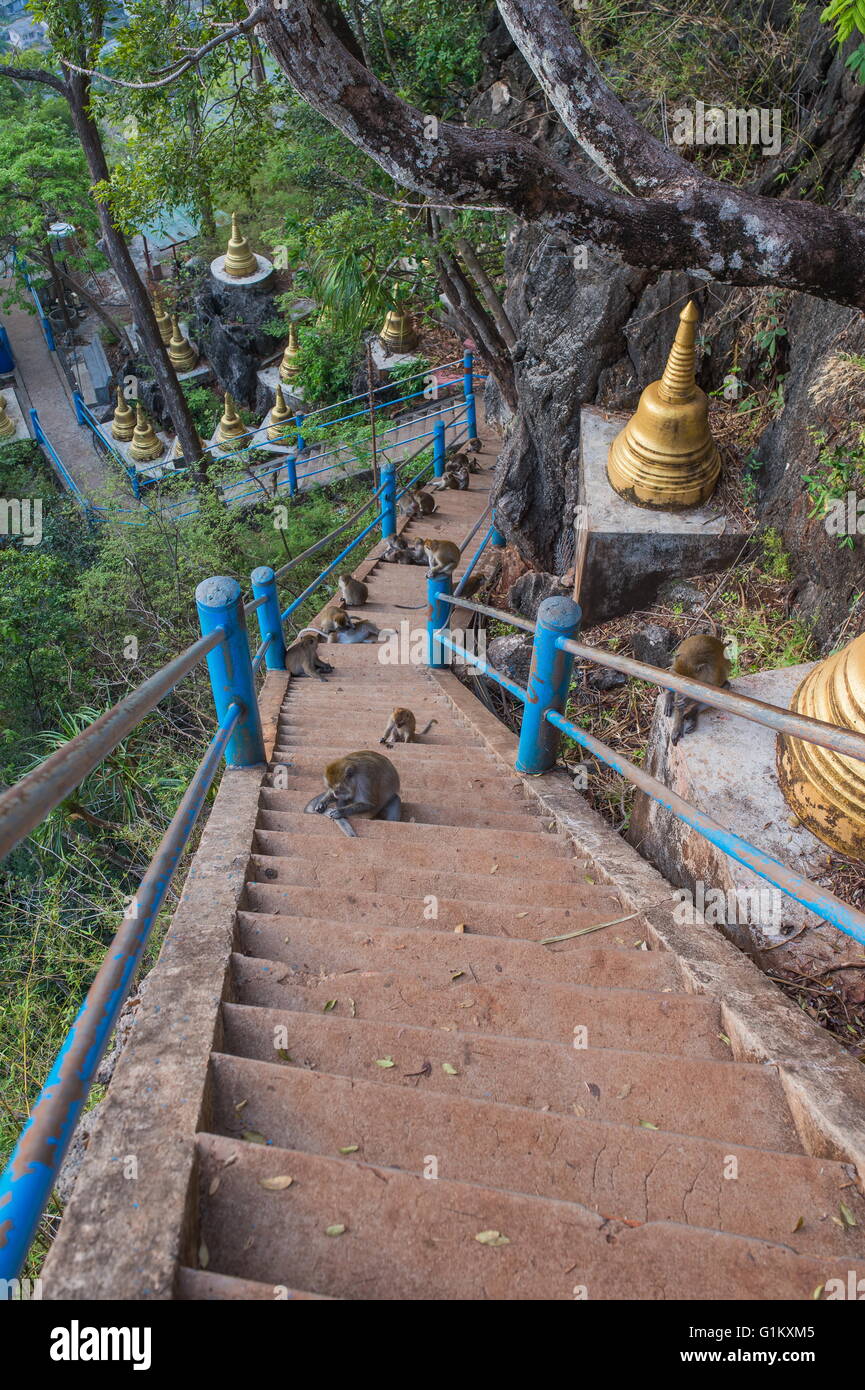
[[727, 768]]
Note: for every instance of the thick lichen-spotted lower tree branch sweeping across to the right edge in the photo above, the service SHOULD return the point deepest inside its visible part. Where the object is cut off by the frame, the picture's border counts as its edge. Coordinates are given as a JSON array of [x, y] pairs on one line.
[[728, 233]]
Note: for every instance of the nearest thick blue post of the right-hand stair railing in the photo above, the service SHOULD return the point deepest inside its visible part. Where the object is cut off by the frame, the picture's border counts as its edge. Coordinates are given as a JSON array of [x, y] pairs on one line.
[[549, 683]]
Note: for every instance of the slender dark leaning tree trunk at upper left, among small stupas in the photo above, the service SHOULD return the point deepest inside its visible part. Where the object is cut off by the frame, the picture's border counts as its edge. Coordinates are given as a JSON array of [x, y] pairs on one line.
[[124, 269]]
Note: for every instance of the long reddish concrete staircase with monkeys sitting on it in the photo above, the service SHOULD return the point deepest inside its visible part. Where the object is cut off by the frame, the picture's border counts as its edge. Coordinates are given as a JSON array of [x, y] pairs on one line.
[[462, 1111]]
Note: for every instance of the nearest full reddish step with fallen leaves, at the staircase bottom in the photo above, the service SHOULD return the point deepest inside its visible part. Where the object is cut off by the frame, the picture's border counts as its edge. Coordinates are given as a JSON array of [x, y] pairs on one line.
[[408, 1238]]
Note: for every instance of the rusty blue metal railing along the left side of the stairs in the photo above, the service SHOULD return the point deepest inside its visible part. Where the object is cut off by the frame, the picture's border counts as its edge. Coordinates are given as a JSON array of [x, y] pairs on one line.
[[31, 1174]]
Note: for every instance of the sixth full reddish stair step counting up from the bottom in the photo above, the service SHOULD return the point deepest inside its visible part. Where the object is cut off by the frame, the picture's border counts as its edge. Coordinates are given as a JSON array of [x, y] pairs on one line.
[[400, 911]]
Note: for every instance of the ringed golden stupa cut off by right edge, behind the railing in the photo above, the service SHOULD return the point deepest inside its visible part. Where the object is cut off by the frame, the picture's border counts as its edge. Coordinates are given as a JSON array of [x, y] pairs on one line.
[[827, 790]]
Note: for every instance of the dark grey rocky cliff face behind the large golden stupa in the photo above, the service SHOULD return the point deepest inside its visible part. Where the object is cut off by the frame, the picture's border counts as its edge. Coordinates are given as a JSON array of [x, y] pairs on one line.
[[592, 330]]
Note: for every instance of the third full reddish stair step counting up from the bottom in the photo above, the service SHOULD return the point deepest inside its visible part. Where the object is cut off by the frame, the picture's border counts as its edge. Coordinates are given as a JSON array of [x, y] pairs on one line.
[[736, 1102]]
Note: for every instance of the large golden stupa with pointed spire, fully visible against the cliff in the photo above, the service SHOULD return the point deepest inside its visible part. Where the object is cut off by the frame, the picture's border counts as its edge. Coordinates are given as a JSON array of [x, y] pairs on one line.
[[665, 457]]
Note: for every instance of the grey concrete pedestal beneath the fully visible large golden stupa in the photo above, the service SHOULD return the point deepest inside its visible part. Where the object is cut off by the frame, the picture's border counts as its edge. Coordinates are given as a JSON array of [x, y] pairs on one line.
[[633, 551]]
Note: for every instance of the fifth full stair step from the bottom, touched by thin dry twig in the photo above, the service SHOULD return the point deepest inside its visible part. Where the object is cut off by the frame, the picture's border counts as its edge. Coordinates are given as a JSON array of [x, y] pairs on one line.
[[326, 947]]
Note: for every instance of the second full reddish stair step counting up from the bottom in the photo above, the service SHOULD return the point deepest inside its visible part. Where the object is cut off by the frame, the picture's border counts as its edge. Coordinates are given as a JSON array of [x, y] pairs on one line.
[[615, 1170]]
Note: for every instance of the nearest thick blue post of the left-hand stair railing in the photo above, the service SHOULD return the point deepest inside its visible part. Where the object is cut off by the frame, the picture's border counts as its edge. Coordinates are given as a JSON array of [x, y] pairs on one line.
[[232, 678]]
